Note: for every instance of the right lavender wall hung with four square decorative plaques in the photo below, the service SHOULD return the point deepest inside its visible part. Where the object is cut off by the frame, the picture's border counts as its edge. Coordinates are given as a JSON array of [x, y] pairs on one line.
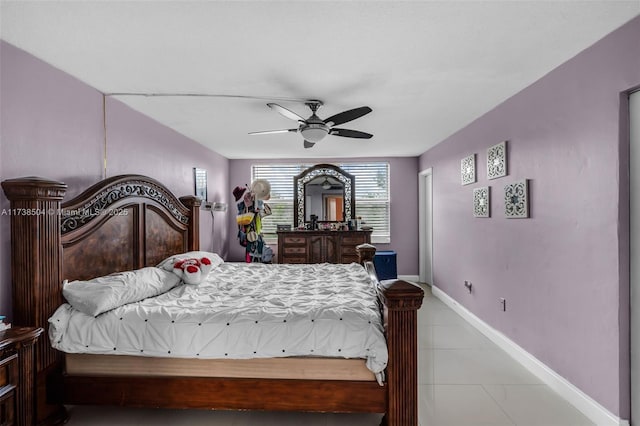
[[562, 271]]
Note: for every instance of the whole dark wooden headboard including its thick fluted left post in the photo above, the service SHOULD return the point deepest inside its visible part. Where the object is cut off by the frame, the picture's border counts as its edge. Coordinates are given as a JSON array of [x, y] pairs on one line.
[[121, 223]]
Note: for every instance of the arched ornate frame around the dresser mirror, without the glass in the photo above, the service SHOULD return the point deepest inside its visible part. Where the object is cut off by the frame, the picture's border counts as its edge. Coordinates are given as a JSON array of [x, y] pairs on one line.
[[299, 188]]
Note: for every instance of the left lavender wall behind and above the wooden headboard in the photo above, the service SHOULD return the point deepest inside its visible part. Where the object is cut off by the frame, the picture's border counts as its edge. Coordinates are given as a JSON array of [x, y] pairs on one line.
[[52, 126]]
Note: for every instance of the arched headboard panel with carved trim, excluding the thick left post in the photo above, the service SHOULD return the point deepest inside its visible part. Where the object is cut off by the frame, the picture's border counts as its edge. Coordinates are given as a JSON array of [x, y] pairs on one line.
[[133, 220]]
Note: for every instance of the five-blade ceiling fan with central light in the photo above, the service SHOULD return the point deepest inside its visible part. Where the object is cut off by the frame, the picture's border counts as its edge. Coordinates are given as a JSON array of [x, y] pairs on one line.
[[314, 129]]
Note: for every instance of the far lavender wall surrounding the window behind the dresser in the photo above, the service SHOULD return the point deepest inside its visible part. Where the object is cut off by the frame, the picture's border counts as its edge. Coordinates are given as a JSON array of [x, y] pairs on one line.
[[404, 205]]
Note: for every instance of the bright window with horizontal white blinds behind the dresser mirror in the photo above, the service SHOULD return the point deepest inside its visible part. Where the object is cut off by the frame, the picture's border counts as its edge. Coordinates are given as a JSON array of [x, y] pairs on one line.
[[372, 195]]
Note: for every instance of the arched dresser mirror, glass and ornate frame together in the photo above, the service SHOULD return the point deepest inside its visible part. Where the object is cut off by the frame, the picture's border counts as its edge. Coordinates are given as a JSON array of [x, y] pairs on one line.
[[325, 192]]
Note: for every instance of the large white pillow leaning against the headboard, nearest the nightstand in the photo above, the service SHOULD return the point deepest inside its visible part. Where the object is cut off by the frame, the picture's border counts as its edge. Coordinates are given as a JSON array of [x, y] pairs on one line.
[[102, 294]]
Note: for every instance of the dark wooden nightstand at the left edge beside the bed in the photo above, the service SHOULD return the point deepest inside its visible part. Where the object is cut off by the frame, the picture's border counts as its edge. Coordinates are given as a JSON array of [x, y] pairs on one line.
[[17, 376]]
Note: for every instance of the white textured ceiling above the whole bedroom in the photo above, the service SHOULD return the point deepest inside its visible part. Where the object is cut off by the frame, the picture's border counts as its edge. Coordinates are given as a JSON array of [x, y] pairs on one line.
[[426, 68]]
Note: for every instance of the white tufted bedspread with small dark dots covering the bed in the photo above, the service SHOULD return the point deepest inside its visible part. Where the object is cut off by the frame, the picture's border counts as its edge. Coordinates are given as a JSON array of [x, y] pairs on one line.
[[240, 311]]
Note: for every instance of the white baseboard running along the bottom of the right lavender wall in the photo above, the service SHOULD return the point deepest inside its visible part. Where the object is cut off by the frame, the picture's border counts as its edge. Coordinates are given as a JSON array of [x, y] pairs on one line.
[[587, 405]]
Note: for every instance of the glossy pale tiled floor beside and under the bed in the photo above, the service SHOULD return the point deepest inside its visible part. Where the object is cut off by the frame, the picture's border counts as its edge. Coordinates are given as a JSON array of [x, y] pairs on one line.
[[464, 380]]
